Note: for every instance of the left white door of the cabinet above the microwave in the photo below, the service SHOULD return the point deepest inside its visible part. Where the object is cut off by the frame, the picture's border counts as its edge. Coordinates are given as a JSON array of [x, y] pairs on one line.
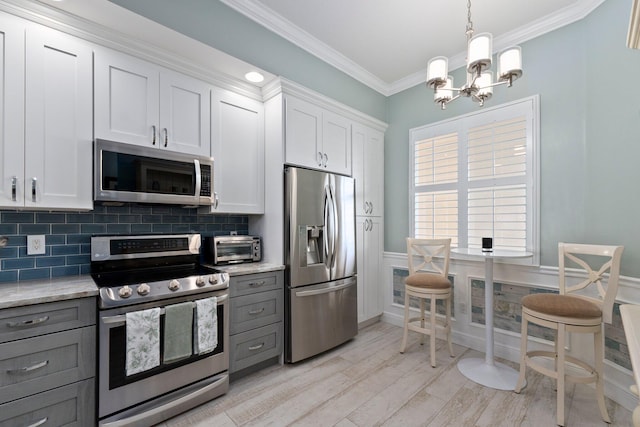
[[126, 99]]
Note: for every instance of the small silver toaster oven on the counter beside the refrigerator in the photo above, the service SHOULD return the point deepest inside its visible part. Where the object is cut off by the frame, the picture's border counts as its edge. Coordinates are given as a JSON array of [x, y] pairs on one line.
[[221, 250]]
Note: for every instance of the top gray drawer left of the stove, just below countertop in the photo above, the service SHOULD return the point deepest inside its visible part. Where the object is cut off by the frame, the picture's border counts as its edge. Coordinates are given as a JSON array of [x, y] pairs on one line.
[[31, 320]]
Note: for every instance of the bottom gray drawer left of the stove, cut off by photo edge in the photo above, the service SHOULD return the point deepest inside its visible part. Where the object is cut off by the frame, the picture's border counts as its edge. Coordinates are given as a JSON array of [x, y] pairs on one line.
[[71, 405]]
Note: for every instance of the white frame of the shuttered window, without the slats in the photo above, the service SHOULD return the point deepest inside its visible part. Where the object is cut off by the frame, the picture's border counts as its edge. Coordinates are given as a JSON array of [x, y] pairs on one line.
[[530, 108]]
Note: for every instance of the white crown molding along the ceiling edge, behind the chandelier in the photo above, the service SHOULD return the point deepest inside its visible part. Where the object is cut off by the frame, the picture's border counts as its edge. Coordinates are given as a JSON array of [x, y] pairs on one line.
[[264, 16]]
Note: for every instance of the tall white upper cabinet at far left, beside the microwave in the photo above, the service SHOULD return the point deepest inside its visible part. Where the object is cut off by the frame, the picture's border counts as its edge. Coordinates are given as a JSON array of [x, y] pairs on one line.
[[47, 128]]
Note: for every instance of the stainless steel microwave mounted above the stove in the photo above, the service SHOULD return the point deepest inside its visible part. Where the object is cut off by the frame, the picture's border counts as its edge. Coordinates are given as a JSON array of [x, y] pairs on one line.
[[132, 173]]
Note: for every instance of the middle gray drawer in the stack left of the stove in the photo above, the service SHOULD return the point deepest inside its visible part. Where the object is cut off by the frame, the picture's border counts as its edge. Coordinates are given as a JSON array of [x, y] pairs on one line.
[[36, 364]]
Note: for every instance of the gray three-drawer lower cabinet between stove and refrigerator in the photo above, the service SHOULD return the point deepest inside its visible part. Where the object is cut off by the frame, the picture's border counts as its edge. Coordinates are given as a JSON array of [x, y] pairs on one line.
[[255, 321]]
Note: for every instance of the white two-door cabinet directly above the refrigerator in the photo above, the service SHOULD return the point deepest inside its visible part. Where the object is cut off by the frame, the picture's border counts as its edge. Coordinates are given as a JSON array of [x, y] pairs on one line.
[[316, 138]]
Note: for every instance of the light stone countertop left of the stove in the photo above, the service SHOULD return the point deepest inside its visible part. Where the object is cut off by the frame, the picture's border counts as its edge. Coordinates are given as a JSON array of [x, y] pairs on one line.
[[30, 292]]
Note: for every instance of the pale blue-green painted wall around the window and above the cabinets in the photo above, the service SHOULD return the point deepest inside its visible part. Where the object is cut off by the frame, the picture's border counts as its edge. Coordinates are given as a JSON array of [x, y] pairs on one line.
[[589, 102]]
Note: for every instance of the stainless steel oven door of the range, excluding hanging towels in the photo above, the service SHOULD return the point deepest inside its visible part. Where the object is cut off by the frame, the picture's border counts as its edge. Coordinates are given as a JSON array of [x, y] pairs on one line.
[[117, 391]]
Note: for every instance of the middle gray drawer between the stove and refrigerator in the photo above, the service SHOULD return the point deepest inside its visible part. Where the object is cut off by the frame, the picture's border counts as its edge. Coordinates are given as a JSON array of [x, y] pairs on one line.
[[252, 311]]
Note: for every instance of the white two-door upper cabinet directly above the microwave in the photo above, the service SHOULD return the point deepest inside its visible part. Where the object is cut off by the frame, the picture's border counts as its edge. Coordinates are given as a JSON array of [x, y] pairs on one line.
[[141, 103]]
